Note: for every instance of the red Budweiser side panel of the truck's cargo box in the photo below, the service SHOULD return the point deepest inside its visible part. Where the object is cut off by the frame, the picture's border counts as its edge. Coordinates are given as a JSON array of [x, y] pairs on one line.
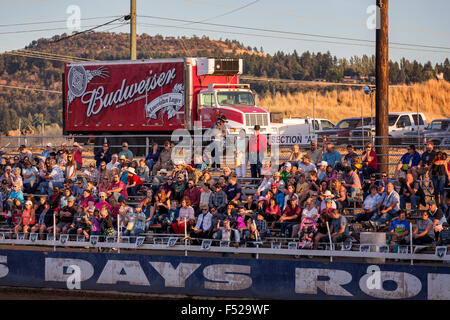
[[124, 95]]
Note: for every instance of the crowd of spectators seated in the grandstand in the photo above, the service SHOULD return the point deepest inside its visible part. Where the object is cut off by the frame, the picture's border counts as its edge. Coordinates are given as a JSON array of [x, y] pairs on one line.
[[308, 198]]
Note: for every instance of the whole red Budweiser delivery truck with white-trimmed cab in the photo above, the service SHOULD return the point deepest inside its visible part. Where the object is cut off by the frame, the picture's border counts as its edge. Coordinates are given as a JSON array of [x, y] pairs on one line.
[[155, 97]]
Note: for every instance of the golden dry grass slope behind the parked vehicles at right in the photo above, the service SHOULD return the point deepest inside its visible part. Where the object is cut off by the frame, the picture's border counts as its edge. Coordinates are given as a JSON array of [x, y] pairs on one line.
[[434, 102]]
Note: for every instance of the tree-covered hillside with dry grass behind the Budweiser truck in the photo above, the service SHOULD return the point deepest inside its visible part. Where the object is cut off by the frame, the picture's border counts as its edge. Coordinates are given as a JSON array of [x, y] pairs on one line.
[[35, 108]]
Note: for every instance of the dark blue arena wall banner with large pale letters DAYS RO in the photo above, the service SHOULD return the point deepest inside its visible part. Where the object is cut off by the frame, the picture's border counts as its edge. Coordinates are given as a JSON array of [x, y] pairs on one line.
[[222, 277]]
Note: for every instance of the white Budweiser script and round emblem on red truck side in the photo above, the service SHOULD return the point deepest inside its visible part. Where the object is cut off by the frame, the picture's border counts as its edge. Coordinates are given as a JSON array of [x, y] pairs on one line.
[[99, 98]]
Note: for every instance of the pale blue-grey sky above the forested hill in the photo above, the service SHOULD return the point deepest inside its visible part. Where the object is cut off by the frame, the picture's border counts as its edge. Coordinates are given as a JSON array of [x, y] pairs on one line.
[[287, 24]]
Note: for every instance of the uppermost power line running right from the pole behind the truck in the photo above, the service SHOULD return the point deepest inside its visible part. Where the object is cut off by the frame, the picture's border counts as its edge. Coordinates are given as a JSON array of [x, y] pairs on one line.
[[291, 32]]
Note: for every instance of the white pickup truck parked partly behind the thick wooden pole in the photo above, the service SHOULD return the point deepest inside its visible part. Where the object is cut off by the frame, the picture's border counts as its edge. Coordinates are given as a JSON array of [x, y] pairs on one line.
[[402, 127]]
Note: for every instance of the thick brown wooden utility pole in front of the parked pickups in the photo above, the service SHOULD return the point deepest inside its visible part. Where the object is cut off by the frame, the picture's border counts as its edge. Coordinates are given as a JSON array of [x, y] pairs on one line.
[[382, 86]]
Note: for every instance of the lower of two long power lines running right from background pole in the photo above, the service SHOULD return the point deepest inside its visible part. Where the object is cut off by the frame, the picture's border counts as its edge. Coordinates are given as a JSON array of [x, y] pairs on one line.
[[286, 38]]
